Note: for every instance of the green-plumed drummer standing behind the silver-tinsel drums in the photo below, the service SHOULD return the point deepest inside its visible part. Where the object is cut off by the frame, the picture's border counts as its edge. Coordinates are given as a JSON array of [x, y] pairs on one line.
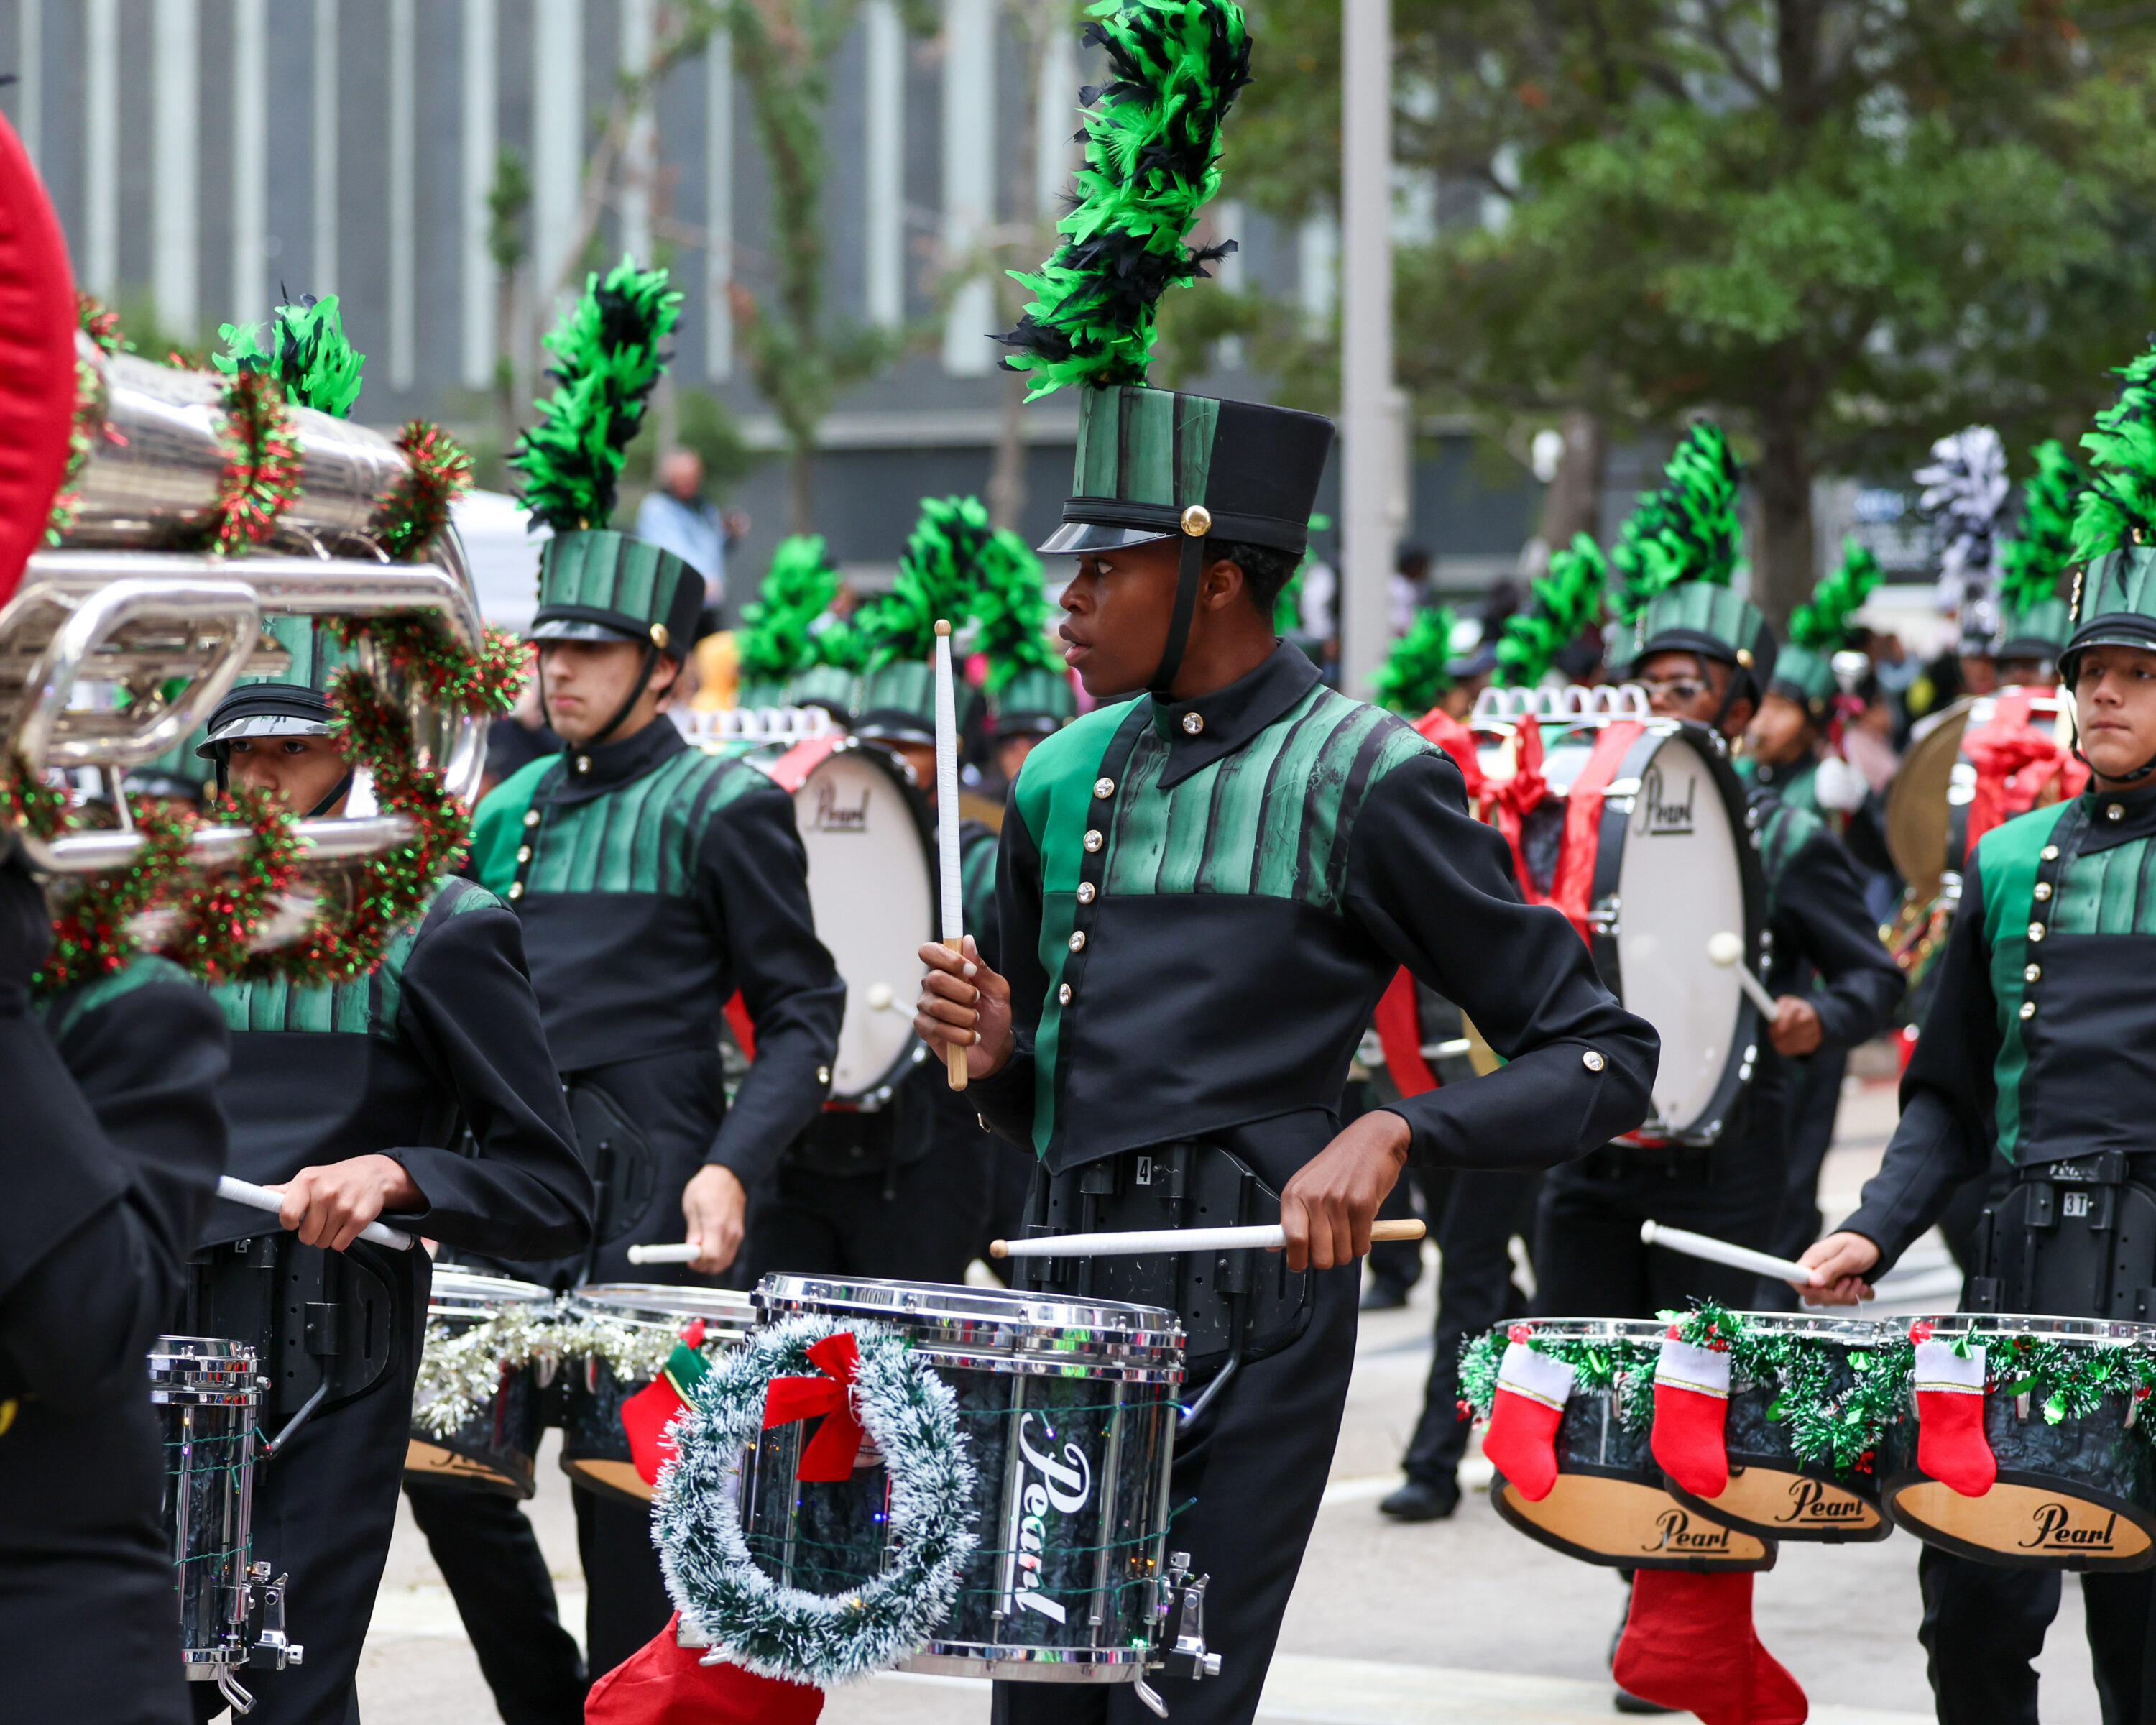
[[654, 883]]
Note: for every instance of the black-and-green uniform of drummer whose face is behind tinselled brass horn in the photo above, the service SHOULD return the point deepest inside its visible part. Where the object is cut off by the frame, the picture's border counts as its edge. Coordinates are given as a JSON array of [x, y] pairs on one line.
[[437, 1060]]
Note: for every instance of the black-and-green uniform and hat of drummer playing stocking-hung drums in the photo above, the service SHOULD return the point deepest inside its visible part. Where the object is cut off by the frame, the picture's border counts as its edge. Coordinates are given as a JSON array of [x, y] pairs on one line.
[[2038, 1047]]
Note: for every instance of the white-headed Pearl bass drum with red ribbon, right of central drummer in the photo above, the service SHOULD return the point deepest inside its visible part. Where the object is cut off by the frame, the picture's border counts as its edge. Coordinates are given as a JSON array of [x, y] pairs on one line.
[[1676, 864]]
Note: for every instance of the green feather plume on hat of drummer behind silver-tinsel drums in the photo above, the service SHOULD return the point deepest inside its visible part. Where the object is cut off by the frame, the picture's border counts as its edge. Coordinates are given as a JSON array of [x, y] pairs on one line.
[[607, 353]]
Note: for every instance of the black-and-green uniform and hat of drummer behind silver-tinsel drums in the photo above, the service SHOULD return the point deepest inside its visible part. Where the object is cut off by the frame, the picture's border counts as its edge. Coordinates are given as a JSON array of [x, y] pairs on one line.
[[654, 881]]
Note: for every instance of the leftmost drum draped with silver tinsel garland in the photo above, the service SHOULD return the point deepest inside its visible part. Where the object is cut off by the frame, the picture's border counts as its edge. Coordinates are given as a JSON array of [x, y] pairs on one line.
[[495, 1448]]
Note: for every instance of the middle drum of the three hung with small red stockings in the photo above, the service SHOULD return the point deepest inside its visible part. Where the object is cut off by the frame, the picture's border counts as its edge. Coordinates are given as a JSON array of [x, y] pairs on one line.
[[1771, 1491]]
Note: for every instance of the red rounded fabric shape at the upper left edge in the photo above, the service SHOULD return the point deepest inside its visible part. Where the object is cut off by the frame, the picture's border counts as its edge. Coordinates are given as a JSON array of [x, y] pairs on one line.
[[38, 359]]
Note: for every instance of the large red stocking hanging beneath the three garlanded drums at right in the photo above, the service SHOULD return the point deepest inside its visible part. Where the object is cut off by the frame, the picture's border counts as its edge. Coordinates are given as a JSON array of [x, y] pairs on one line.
[[1689, 1644]]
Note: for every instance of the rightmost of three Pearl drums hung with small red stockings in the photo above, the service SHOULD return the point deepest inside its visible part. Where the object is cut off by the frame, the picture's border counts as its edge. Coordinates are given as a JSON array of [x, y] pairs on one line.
[[2077, 1493]]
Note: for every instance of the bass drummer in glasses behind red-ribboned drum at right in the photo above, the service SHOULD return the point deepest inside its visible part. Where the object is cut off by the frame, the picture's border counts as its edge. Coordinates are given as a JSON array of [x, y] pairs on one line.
[[1706, 654]]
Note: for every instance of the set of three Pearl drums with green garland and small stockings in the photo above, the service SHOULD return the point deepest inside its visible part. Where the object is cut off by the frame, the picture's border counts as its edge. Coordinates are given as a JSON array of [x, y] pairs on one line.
[[2075, 1472]]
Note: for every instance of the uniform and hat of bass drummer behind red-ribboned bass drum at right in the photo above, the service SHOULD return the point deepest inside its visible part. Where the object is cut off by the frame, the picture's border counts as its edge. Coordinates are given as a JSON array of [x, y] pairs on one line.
[[1590, 1260]]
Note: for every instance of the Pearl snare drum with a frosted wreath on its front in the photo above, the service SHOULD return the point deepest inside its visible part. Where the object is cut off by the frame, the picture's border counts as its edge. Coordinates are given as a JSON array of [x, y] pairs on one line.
[[1068, 1409]]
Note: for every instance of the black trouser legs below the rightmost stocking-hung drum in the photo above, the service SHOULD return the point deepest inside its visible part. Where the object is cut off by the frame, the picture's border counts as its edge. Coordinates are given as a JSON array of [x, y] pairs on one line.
[[1982, 1627]]
